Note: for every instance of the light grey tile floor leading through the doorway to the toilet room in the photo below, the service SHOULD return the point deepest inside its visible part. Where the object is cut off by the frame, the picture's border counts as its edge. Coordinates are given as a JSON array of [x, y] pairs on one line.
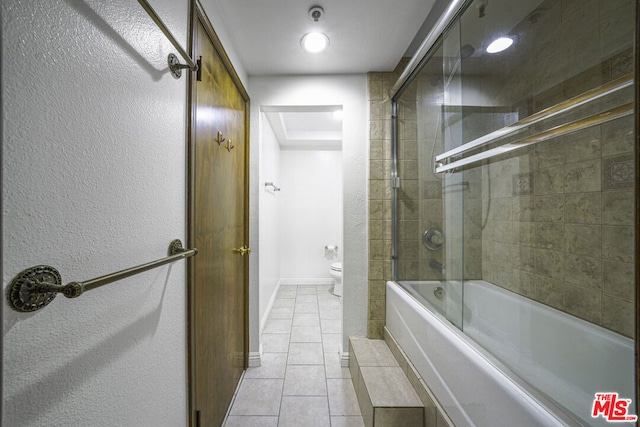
[[300, 382]]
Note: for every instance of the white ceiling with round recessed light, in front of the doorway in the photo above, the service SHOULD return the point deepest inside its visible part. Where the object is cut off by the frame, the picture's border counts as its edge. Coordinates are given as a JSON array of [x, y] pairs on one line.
[[365, 35]]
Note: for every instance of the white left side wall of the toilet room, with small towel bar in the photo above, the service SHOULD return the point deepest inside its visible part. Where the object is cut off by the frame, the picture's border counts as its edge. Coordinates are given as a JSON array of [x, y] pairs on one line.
[[269, 250]]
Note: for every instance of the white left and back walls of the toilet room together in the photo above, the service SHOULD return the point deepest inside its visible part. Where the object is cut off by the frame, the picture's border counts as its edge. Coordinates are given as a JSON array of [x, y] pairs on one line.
[[297, 222]]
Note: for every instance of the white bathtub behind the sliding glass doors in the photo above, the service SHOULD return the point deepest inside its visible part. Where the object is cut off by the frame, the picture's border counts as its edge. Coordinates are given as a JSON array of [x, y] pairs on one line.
[[550, 351]]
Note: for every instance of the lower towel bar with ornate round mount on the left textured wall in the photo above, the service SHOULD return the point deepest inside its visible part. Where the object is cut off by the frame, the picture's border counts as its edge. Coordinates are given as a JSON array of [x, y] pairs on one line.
[[36, 287]]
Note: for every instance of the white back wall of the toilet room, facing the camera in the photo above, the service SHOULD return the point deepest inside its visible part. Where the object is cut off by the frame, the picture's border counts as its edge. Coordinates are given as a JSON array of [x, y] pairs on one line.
[[310, 214]]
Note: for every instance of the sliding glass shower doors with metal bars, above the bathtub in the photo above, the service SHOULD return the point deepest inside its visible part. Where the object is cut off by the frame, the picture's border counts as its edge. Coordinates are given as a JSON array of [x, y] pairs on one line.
[[516, 143]]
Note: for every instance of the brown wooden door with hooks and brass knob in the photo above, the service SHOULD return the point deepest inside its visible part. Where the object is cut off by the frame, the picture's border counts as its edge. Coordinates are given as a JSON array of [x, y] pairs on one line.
[[218, 227]]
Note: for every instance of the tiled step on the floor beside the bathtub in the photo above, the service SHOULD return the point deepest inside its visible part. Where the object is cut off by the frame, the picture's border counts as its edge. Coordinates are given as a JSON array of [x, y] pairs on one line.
[[385, 396]]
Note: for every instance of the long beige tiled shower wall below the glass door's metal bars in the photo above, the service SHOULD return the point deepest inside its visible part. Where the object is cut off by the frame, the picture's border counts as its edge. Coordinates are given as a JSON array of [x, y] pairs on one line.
[[560, 224]]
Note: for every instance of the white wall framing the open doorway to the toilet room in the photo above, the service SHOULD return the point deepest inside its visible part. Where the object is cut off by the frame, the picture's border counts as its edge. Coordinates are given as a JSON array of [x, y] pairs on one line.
[[350, 91]]
